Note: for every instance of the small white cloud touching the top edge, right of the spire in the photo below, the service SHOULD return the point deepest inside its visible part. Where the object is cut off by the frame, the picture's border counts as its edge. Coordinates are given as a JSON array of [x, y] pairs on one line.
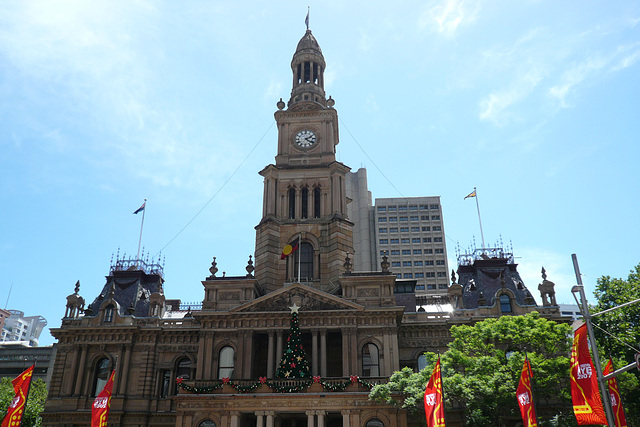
[[445, 16]]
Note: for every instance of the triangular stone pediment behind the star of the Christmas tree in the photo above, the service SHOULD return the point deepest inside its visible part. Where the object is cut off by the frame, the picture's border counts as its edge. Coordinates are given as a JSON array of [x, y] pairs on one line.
[[307, 298]]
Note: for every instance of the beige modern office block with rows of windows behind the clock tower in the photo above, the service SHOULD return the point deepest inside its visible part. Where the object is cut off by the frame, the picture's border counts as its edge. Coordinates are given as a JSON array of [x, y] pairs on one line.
[[410, 231]]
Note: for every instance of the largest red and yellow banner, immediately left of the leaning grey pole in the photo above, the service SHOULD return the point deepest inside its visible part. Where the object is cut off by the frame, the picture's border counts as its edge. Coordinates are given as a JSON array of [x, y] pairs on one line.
[[587, 404]]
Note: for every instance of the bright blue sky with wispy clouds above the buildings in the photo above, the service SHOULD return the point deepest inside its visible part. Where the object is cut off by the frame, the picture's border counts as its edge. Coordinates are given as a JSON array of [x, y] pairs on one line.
[[104, 104]]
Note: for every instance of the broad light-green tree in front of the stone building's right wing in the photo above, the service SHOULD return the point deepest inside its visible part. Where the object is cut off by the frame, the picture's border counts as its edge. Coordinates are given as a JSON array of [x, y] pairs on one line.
[[481, 369]]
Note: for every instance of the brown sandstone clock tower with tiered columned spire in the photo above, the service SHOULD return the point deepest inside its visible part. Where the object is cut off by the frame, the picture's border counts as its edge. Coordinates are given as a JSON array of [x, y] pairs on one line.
[[304, 192]]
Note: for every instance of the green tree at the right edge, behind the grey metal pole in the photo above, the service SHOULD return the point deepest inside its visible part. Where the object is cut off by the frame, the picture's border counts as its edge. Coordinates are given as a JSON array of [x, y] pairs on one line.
[[618, 334]]
